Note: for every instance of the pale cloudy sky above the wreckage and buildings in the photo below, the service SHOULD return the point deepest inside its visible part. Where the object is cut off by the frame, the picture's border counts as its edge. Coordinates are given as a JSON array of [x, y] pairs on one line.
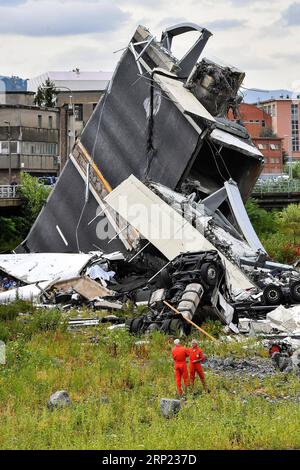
[[259, 36]]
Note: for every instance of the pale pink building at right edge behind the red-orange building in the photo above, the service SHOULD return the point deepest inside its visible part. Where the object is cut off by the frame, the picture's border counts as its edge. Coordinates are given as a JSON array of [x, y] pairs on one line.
[[285, 114]]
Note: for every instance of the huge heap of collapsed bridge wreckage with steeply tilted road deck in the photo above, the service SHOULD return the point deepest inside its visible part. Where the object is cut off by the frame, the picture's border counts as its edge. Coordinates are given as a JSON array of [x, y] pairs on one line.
[[159, 176]]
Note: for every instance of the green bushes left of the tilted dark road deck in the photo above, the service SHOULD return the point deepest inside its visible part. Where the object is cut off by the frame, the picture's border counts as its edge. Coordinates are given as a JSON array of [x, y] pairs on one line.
[[15, 229]]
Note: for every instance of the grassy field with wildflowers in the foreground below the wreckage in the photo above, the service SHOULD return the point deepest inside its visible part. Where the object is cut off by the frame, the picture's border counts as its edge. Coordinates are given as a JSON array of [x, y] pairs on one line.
[[43, 358]]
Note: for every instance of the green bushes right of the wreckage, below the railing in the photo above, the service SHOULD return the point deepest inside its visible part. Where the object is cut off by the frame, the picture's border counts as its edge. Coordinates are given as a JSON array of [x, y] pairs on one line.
[[279, 231]]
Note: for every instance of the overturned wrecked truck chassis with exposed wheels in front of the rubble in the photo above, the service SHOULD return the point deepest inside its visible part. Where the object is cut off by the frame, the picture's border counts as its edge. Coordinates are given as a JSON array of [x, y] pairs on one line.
[[196, 284]]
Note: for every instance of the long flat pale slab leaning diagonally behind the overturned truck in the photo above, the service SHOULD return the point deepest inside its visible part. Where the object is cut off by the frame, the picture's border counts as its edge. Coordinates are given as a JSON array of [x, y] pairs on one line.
[[145, 211]]
